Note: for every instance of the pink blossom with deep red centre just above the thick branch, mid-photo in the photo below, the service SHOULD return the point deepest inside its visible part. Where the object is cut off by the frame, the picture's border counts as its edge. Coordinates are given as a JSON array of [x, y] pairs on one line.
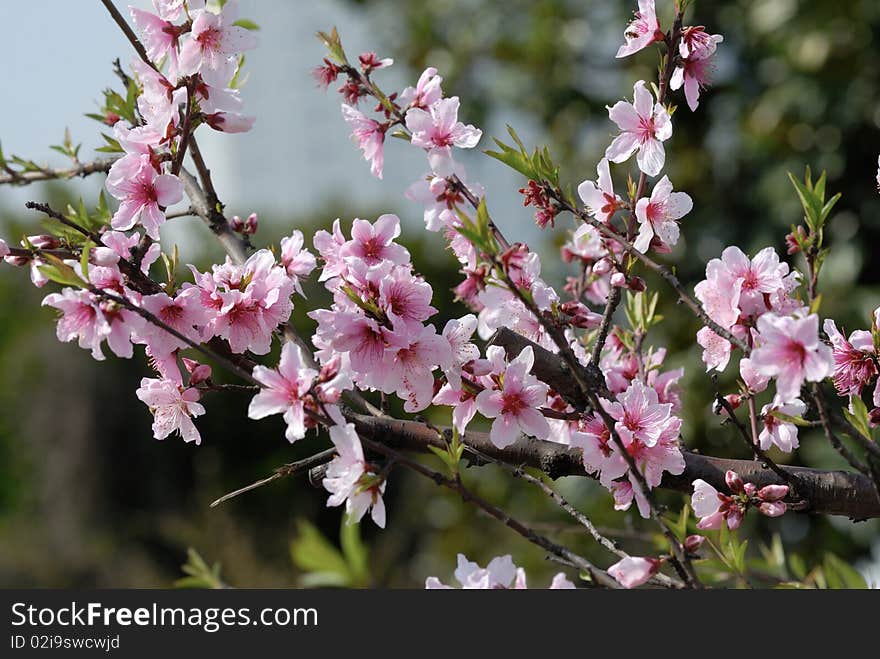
[[514, 404]]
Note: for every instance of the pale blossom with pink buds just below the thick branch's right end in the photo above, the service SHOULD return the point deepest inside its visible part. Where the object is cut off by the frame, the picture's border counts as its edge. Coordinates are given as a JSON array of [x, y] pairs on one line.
[[714, 508]]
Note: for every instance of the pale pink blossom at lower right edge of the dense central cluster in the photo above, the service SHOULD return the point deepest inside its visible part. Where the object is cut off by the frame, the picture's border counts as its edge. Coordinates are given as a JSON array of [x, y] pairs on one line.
[[411, 357]]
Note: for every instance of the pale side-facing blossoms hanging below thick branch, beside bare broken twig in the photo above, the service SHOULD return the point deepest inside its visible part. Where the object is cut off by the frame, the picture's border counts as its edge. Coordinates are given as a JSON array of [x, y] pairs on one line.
[[350, 480]]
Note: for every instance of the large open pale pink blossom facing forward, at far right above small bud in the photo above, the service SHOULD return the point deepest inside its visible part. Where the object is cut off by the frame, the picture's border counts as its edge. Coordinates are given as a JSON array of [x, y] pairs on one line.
[[789, 350]]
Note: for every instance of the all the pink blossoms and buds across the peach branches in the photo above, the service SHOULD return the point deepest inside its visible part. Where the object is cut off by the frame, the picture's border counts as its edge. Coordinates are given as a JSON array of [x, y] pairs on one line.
[[376, 335]]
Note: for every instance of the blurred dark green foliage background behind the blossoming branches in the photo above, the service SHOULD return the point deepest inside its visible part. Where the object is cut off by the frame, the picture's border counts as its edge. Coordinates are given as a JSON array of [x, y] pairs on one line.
[[89, 498]]
